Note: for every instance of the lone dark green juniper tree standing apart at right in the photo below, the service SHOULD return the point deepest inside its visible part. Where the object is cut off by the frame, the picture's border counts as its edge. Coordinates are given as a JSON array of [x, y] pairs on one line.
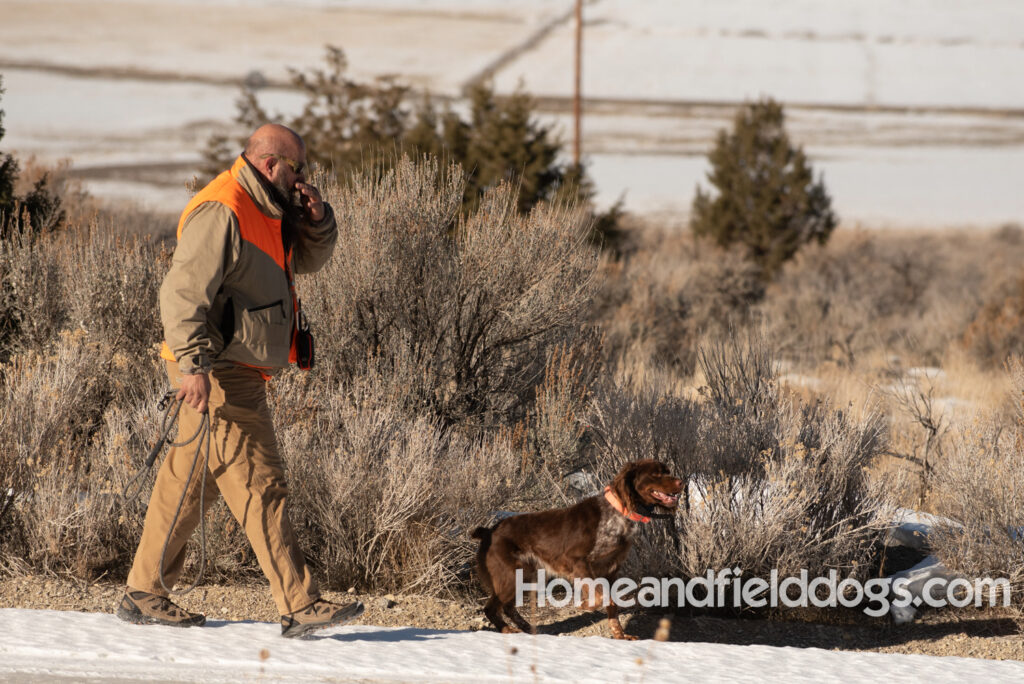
[[767, 198]]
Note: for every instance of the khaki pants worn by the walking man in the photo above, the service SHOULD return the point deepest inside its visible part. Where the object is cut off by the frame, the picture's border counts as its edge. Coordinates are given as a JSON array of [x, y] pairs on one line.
[[247, 471]]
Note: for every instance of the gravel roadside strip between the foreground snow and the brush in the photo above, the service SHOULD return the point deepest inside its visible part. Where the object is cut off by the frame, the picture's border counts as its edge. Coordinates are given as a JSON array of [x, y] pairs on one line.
[[987, 634]]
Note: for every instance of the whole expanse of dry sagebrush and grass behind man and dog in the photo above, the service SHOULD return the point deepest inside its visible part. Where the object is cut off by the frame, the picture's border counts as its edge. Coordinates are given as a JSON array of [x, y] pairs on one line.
[[497, 363]]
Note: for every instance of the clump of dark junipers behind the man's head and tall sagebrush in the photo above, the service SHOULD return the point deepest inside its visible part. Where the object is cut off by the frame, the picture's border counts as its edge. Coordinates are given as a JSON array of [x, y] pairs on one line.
[[349, 126]]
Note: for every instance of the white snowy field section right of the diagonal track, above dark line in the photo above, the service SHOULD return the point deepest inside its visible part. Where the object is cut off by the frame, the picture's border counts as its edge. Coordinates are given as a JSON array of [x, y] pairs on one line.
[[861, 53]]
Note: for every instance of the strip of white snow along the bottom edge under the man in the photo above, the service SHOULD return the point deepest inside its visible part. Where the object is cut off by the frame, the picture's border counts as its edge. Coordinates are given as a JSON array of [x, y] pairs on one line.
[[53, 647]]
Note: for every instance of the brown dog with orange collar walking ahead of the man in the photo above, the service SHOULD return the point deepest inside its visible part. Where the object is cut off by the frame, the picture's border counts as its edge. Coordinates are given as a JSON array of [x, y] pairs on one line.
[[588, 540]]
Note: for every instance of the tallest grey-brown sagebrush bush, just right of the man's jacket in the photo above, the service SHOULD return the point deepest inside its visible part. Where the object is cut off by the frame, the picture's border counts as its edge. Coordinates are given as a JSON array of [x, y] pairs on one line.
[[458, 314]]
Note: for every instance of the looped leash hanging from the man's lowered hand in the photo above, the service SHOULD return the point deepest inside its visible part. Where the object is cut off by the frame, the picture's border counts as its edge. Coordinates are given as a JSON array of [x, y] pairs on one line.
[[172, 406]]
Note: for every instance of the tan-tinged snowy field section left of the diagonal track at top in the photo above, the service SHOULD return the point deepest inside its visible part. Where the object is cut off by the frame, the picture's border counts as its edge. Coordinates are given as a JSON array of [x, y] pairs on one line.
[[436, 51]]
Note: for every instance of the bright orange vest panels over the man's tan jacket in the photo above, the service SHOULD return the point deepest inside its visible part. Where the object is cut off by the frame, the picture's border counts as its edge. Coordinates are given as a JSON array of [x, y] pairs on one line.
[[257, 228]]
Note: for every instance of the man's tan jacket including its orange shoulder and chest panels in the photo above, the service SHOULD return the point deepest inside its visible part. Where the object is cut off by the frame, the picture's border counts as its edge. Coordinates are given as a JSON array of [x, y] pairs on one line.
[[229, 297]]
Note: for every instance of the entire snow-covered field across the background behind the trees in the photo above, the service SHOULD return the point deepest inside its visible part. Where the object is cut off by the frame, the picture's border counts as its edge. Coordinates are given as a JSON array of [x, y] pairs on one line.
[[912, 109]]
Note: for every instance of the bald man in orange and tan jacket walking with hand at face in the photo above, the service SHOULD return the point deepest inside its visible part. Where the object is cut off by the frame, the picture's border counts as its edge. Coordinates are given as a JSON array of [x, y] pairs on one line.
[[229, 312]]
